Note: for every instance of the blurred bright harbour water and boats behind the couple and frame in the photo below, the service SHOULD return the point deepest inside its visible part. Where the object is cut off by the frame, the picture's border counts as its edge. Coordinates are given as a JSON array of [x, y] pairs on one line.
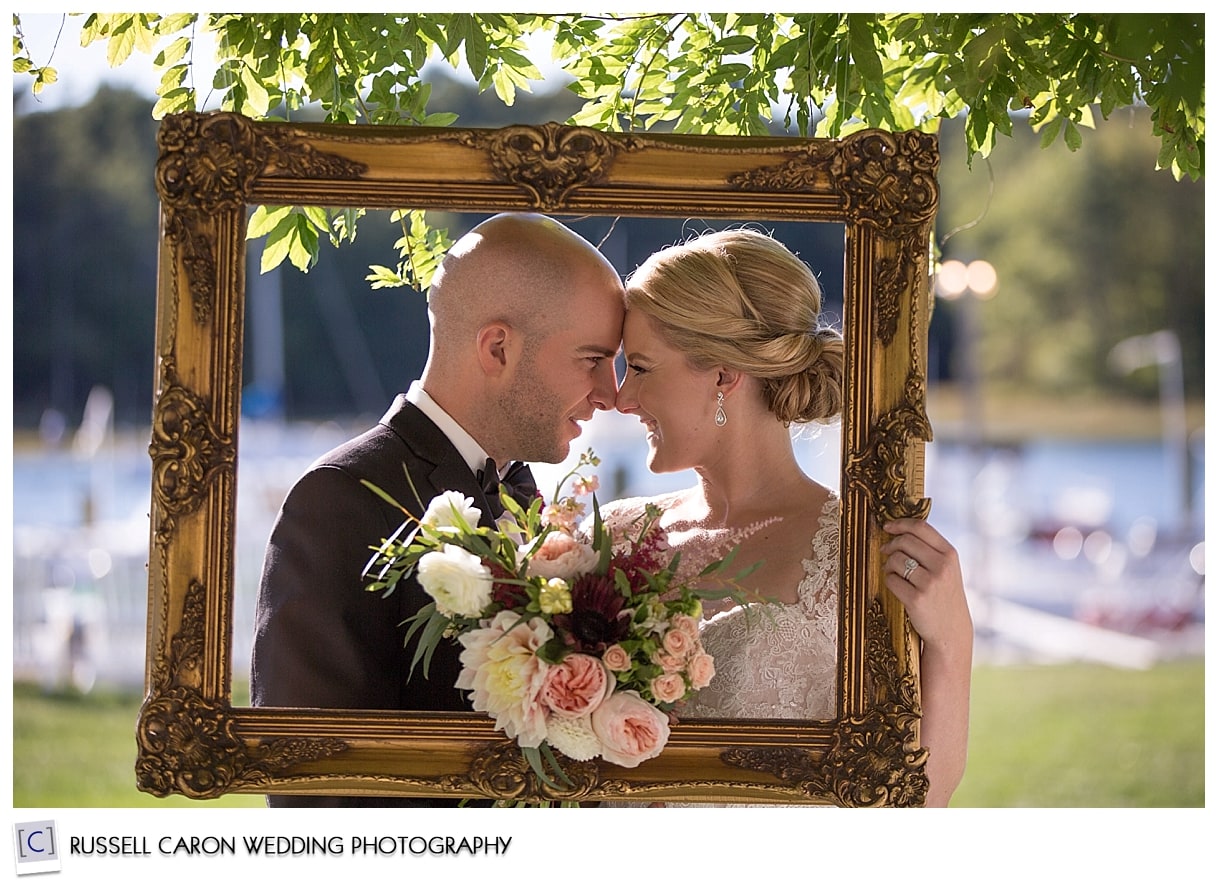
[[1074, 550]]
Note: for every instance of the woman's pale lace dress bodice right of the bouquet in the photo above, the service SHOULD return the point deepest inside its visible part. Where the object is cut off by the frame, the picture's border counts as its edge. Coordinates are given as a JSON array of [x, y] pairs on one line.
[[775, 661]]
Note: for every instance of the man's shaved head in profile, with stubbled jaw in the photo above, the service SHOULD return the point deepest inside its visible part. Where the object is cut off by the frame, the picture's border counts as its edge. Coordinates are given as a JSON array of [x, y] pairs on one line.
[[526, 321]]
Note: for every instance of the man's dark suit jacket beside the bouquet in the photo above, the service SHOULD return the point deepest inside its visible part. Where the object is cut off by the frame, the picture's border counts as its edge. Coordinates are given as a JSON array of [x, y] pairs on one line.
[[322, 640]]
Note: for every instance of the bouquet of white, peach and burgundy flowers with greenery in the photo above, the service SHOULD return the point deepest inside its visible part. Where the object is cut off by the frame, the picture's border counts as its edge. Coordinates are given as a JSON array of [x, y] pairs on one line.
[[574, 639]]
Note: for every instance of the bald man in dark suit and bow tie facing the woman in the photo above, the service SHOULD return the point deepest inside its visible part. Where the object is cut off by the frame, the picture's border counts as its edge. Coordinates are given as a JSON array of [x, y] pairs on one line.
[[526, 322]]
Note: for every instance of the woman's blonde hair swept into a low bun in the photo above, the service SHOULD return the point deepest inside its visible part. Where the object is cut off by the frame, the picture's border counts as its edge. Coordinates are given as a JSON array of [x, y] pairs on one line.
[[741, 299]]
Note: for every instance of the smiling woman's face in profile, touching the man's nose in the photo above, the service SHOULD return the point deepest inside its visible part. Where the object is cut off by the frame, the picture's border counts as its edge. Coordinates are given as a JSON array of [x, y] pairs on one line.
[[674, 401]]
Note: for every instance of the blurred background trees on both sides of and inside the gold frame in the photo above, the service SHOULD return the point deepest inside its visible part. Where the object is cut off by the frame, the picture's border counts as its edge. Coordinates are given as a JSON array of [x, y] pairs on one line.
[[1091, 249]]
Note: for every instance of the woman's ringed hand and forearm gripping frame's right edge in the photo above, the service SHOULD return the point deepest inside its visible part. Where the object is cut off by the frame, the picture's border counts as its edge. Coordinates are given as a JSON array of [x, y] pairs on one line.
[[934, 595]]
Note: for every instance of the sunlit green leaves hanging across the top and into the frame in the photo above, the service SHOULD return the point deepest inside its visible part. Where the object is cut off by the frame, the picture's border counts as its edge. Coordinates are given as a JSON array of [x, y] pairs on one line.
[[817, 75]]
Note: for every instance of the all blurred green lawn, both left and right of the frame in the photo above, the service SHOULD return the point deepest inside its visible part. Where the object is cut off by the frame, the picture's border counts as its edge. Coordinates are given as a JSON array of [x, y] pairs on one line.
[[1044, 736]]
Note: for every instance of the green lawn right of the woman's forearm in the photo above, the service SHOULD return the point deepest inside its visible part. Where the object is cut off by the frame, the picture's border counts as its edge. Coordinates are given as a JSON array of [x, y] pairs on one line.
[[1087, 736]]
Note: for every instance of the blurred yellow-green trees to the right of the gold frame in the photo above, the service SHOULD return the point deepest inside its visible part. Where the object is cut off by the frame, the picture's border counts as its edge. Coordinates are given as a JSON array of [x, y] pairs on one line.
[[1091, 249]]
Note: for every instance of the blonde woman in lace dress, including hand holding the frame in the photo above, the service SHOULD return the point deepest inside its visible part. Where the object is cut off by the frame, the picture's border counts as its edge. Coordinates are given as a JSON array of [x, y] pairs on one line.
[[725, 350]]
